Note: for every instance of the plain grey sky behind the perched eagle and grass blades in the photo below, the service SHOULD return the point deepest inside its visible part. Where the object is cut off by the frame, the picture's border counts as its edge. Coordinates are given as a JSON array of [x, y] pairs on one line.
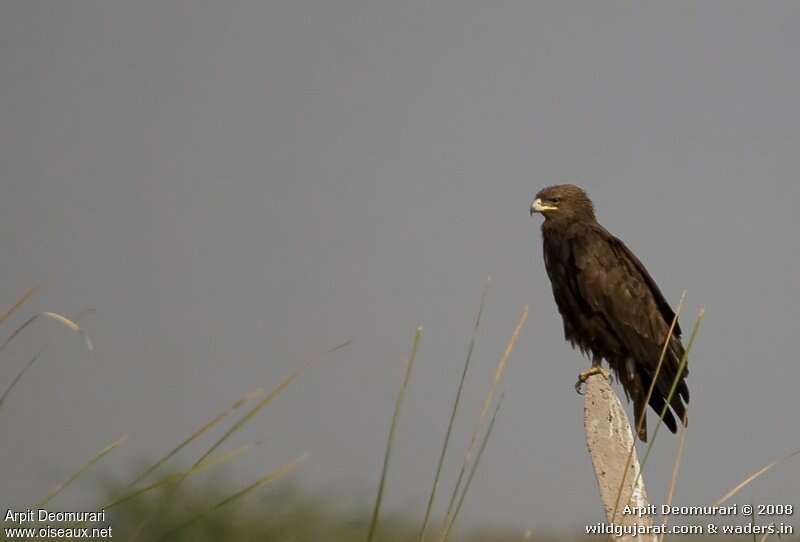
[[235, 186]]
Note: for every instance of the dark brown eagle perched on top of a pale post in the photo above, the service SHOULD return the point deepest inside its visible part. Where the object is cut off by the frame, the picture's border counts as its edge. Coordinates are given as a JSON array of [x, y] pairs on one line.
[[611, 307]]
